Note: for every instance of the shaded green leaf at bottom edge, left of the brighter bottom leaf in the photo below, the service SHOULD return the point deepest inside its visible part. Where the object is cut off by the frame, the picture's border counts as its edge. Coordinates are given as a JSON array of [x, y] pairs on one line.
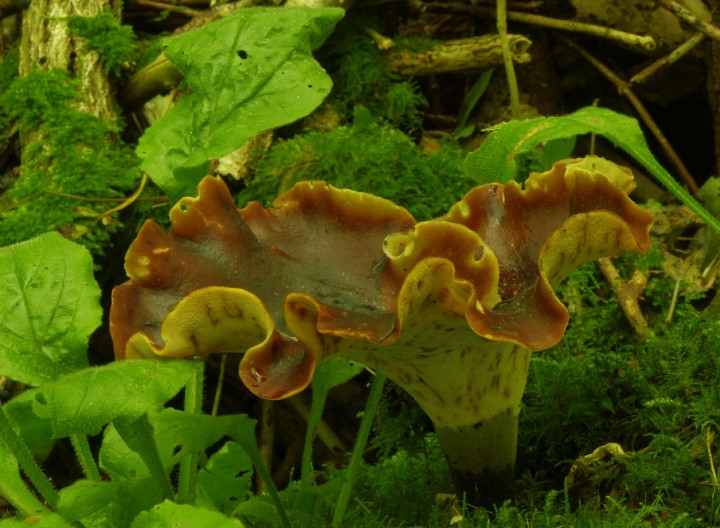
[[107, 503]]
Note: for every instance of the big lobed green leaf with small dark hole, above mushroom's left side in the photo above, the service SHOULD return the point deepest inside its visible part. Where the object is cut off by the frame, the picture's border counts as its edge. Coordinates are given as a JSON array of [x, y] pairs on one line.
[[249, 72]]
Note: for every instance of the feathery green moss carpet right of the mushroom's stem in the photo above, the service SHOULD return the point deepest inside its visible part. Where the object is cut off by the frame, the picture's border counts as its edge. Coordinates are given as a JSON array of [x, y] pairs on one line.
[[658, 398]]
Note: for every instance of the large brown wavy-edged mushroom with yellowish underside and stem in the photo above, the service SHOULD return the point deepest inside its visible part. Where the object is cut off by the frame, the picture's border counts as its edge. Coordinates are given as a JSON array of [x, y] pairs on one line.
[[450, 309]]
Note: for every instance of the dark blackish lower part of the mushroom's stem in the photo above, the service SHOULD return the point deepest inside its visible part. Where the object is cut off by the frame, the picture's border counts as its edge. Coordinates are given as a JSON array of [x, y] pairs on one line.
[[482, 458]]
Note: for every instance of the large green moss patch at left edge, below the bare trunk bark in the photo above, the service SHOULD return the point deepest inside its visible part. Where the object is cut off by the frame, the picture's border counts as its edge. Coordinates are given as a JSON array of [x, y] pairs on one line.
[[68, 152]]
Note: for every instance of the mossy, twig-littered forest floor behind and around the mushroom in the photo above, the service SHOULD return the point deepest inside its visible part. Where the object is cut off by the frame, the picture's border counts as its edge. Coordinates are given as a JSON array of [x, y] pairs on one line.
[[619, 422]]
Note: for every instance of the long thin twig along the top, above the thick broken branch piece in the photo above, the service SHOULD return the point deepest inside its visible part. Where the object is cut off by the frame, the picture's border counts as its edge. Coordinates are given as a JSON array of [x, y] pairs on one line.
[[631, 39]]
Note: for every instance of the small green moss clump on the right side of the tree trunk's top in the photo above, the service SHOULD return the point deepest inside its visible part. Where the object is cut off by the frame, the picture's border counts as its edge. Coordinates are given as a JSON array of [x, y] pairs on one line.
[[103, 33]]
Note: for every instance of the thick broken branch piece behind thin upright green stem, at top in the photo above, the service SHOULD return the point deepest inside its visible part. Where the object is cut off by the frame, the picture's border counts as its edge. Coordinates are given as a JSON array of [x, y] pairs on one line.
[[462, 55]]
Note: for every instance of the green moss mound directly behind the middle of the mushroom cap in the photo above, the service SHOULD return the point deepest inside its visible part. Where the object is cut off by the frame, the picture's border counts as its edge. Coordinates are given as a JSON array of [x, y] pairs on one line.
[[365, 157]]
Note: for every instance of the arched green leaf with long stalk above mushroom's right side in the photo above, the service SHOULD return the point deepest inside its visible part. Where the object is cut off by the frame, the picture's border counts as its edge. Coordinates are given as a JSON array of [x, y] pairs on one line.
[[495, 160]]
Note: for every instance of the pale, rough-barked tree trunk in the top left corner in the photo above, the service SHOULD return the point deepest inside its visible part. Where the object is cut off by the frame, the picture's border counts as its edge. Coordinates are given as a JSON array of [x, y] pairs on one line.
[[46, 43]]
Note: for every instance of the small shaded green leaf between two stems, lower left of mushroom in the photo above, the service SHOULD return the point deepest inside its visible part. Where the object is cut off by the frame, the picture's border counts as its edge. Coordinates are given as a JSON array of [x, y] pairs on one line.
[[226, 479]]
